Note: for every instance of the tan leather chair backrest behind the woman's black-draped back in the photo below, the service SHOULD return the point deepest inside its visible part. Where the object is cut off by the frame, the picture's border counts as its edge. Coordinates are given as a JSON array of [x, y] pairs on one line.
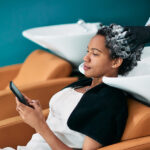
[[138, 123]]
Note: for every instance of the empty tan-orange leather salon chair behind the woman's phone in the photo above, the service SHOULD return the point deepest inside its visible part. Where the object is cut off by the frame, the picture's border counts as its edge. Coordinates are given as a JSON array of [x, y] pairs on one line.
[[40, 76]]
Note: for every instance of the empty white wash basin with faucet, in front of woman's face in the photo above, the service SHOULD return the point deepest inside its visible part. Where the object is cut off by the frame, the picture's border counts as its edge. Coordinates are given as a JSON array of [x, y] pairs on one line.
[[68, 41]]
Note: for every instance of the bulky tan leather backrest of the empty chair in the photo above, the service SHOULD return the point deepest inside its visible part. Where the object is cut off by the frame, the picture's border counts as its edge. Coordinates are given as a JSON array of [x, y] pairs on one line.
[[41, 65]]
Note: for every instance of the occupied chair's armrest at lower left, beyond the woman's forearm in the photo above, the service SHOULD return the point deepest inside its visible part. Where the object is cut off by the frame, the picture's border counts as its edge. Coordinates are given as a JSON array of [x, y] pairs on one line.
[[13, 131]]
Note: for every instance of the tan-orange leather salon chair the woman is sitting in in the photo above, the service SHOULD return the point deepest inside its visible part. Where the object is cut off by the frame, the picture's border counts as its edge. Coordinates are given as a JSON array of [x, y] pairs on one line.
[[136, 135]]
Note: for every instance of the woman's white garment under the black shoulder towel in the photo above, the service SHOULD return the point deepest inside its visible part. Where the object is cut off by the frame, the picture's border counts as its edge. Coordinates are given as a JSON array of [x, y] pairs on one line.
[[61, 105]]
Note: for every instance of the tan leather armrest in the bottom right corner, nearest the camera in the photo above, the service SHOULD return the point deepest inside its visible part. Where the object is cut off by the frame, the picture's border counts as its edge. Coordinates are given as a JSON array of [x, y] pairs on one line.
[[142, 143]]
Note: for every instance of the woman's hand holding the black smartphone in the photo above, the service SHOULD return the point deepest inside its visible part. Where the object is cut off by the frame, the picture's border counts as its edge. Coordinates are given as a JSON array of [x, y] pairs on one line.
[[31, 116]]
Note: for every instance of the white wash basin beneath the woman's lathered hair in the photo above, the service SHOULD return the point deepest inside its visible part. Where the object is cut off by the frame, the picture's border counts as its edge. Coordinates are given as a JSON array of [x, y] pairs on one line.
[[137, 82]]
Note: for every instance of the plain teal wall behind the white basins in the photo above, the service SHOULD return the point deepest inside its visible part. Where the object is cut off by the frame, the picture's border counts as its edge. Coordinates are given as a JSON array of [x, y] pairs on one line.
[[18, 15]]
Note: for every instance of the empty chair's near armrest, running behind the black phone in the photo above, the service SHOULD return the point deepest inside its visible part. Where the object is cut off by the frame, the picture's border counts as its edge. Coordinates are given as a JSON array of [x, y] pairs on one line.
[[41, 91]]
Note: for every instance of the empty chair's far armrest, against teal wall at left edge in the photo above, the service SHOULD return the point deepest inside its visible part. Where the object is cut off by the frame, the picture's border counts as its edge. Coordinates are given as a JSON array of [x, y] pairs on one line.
[[7, 74]]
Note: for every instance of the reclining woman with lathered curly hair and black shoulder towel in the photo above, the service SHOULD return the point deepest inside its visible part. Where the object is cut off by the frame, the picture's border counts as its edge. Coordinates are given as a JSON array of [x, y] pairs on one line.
[[87, 114]]
